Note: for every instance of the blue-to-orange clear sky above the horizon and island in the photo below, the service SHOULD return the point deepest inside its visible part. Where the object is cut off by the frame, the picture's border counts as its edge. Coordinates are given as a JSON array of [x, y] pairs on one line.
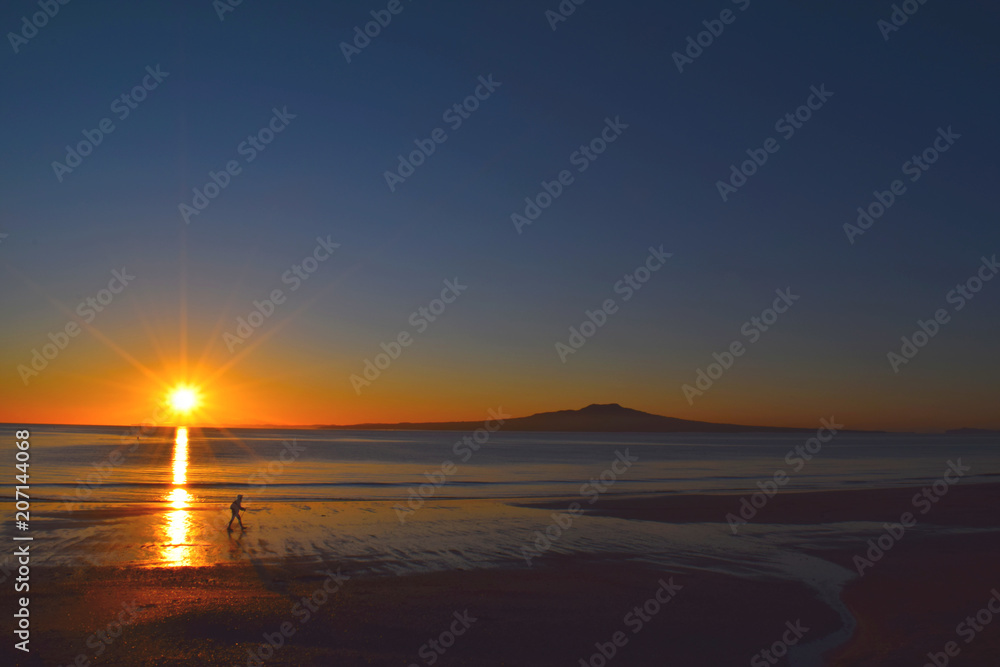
[[345, 108]]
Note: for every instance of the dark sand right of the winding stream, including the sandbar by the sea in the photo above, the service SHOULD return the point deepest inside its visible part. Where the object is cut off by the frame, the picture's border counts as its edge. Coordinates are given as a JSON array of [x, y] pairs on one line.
[[908, 603]]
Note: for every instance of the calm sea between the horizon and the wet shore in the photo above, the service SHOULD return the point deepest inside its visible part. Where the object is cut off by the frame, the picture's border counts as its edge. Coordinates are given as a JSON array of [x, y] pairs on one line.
[[99, 465]]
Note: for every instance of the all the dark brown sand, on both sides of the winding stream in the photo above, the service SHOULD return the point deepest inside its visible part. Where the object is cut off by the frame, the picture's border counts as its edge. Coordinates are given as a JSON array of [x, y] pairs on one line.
[[907, 604]]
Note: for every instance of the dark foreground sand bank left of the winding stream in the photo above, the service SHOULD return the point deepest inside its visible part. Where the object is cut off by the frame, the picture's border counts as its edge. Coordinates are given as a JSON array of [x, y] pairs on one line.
[[544, 616]]
